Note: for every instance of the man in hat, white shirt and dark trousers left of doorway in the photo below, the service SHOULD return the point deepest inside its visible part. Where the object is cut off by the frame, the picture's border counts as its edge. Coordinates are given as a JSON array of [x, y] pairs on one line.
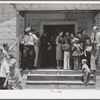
[[28, 52]]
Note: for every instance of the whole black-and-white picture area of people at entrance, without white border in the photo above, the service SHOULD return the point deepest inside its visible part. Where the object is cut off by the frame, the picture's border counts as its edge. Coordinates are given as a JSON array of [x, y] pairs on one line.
[[50, 46]]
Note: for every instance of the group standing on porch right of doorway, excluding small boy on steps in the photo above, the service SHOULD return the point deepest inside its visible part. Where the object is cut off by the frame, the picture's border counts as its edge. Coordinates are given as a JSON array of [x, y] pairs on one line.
[[72, 48]]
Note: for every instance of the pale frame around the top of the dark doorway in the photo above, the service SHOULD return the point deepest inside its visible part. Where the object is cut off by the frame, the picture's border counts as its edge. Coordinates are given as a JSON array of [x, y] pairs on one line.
[[59, 23]]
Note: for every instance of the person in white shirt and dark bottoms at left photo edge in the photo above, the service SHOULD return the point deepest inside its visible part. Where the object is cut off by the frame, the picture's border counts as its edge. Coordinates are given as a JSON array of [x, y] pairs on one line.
[[4, 72]]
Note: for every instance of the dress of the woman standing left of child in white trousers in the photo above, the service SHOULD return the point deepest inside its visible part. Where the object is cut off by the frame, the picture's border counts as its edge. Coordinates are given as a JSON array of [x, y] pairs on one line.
[[59, 48]]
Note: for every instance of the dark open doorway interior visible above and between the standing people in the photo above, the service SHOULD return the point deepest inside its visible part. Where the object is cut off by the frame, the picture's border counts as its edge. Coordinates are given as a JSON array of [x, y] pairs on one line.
[[52, 31]]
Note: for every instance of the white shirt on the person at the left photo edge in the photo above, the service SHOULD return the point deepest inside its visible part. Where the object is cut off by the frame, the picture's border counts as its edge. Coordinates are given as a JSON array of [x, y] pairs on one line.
[[4, 68]]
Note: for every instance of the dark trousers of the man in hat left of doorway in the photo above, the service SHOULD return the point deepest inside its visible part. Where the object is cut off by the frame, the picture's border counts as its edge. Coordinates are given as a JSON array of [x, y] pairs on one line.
[[28, 57]]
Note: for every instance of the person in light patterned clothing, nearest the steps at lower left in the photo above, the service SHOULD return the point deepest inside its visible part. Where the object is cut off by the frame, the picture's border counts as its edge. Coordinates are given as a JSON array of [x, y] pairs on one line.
[[15, 79]]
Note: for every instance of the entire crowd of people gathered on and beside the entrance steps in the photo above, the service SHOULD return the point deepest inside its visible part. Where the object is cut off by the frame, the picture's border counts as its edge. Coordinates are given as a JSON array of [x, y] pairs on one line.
[[69, 51]]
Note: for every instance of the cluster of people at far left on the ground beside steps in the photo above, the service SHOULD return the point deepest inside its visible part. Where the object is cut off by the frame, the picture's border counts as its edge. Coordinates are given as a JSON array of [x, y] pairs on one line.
[[10, 77]]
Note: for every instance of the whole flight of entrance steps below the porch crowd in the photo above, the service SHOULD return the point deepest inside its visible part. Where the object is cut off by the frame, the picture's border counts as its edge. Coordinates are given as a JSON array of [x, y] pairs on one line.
[[57, 79]]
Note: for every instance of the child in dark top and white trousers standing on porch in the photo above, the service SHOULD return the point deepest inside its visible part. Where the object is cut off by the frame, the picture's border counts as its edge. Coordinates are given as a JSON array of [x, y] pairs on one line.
[[66, 49]]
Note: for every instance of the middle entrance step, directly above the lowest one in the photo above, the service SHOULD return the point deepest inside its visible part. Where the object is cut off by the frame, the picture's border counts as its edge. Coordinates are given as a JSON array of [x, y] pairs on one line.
[[55, 77]]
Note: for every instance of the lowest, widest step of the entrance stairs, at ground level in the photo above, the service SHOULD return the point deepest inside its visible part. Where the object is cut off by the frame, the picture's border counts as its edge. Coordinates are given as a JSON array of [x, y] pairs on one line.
[[59, 85]]
